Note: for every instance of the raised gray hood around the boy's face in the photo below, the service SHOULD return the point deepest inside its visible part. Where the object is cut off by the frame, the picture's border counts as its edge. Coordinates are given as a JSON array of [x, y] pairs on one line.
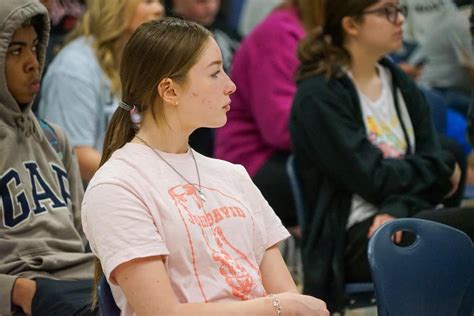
[[13, 13]]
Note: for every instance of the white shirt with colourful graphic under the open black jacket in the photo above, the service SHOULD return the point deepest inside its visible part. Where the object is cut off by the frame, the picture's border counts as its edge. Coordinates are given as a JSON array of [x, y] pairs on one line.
[[384, 131]]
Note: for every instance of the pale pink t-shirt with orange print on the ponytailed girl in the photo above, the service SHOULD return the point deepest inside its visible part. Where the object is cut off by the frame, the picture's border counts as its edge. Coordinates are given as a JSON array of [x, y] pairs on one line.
[[137, 206]]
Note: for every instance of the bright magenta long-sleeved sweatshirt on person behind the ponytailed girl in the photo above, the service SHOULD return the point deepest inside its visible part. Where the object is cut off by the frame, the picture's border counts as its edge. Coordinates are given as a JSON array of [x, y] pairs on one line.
[[263, 69]]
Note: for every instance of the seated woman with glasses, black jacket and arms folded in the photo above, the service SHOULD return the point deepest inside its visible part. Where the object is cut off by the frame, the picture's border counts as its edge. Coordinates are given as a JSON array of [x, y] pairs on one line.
[[364, 143]]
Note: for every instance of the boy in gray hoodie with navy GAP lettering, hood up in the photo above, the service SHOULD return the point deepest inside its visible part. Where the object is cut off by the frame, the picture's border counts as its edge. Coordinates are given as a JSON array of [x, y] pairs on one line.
[[41, 240]]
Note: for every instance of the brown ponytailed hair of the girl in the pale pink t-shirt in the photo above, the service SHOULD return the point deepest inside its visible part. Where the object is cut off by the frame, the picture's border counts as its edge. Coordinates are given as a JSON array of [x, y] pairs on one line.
[[158, 49]]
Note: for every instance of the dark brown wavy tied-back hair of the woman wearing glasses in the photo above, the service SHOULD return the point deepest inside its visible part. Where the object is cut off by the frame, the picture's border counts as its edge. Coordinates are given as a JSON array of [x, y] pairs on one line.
[[322, 50]]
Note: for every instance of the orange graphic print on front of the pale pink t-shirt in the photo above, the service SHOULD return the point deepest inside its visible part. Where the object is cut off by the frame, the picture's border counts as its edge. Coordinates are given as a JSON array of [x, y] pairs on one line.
[[233, 264]]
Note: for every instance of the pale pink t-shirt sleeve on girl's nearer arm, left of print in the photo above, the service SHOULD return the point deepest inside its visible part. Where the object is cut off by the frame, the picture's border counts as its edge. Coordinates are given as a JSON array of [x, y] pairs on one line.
[[119, 226]]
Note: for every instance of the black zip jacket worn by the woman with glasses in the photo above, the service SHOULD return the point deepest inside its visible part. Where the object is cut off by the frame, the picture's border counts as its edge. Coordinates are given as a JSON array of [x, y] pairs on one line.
[[336, 160]]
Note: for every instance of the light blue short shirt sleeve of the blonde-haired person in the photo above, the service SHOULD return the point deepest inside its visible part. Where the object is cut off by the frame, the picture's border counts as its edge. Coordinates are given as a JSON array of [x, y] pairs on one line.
[[71, 101]]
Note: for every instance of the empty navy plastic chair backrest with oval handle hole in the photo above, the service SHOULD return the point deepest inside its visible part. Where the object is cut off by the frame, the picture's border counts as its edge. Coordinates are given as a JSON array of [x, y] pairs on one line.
[[432, 276]]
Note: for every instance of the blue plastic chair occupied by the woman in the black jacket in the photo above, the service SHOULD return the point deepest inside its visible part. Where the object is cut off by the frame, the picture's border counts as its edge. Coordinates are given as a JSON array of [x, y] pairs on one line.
[[357, 294]]
